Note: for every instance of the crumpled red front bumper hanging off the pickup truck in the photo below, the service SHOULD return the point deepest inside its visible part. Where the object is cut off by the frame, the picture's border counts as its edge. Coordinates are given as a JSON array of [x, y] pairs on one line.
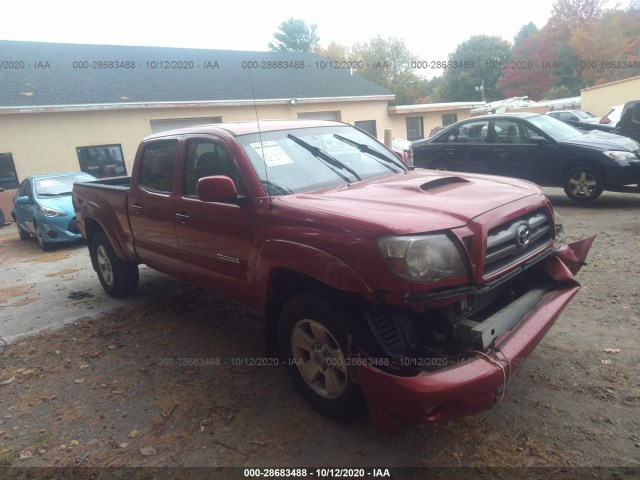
[[474, 385]]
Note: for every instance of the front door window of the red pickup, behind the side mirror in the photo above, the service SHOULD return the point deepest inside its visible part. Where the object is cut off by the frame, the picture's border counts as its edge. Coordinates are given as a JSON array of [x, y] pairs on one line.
[[206, 158]]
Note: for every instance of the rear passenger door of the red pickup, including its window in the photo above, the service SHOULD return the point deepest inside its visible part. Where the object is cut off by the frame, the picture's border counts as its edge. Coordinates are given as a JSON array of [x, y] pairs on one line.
[[151, 205]]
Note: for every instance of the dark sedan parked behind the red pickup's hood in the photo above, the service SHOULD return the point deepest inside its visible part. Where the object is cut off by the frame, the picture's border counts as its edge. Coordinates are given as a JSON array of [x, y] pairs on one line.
[[538, 148]]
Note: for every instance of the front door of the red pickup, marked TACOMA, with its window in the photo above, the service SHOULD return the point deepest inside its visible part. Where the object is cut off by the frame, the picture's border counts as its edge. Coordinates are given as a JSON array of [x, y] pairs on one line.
[[214, 238]]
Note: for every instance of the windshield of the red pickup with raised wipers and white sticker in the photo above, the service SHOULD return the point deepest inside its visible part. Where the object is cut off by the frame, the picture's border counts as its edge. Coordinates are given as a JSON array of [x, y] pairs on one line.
[[305, 159]]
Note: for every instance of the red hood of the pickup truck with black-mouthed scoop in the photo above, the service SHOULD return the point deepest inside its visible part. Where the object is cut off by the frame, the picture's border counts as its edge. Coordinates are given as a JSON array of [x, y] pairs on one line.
[[418, 201]]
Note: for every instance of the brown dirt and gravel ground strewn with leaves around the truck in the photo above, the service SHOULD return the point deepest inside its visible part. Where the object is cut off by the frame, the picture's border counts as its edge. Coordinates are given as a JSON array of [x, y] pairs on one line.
[[112, 384]]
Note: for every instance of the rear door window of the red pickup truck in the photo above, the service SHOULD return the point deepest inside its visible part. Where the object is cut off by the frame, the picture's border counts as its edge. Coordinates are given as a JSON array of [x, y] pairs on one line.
[[158, 164]]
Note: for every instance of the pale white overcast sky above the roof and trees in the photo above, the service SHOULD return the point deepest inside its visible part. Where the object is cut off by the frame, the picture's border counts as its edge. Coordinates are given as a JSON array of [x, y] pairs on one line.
[[430, 29]]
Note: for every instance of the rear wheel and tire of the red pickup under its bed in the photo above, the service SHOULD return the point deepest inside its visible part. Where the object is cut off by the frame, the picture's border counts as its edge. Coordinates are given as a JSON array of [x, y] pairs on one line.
[[118, 278]]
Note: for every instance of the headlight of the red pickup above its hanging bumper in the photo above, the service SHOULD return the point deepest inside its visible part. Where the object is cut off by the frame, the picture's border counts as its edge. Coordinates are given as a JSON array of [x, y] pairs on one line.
[[424, 258]]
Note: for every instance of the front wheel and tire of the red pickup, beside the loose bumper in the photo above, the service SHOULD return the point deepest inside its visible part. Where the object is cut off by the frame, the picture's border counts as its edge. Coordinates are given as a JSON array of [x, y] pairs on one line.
[[312, 336]]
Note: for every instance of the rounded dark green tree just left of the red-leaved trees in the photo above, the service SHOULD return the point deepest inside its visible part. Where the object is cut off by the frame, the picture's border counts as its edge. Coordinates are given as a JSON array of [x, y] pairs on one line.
[[484, 56]]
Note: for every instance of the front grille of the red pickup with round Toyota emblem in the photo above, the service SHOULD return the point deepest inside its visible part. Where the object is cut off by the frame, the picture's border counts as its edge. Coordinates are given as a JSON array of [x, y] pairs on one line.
[[509, 242]]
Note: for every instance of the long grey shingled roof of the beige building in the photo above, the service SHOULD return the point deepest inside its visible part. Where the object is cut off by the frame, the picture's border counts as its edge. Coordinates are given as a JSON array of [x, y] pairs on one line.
[[51, 74]]
